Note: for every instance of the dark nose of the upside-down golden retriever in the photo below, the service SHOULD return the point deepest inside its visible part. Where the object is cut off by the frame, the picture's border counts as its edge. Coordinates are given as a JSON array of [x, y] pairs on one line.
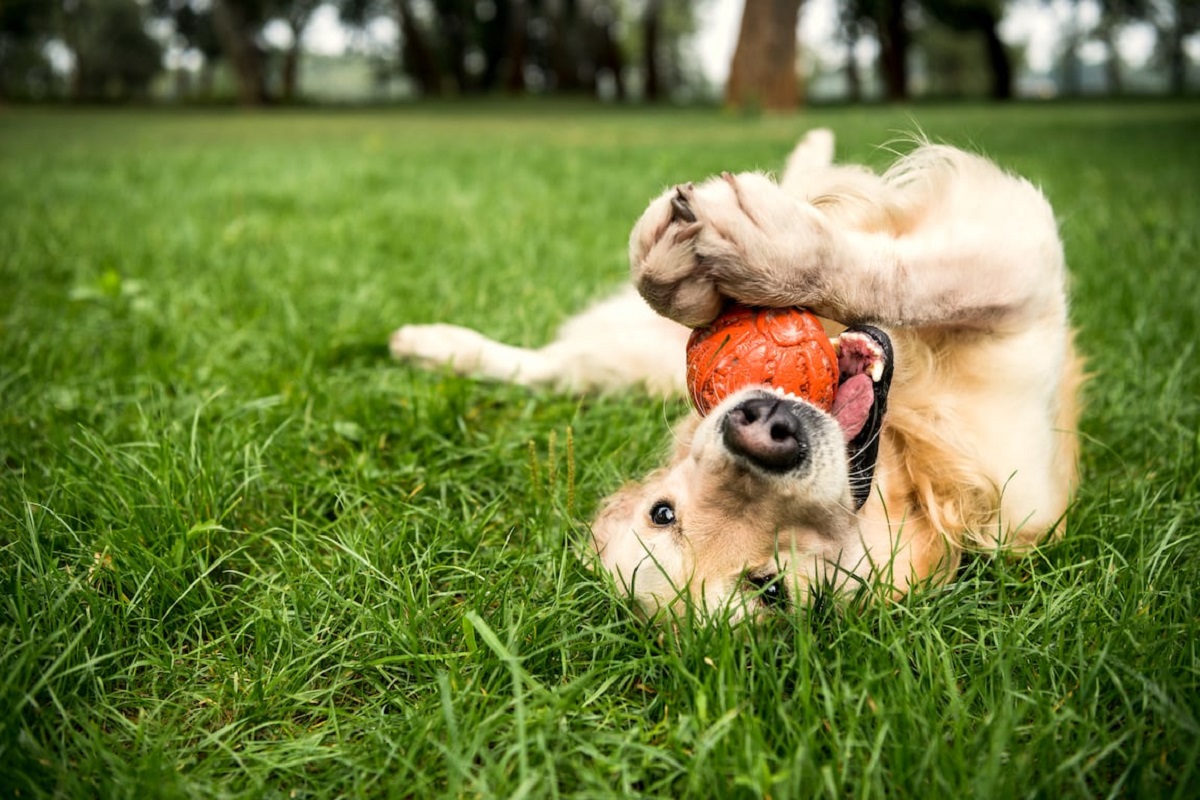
[[769, 432]]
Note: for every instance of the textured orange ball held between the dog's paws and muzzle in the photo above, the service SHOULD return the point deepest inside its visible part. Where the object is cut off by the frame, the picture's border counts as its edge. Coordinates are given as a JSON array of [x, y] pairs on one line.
[[787, 348]]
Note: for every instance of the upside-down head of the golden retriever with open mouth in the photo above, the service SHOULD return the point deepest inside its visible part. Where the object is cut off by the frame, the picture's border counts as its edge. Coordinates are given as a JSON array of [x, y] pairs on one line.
[[759, 502]]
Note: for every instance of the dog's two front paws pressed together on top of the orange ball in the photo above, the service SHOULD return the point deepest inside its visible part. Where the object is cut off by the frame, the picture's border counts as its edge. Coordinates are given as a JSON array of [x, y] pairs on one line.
[[735, 237]]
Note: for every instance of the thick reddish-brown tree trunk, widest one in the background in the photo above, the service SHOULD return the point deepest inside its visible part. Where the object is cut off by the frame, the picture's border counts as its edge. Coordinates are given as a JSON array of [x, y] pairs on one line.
[[764, 69]]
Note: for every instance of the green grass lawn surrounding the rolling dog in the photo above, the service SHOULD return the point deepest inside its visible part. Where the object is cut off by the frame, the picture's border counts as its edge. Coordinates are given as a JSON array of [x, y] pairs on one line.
[[243, 555]]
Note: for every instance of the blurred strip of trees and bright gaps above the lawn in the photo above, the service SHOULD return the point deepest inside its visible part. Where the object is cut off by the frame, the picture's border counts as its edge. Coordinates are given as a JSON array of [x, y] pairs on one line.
[[769, 55]]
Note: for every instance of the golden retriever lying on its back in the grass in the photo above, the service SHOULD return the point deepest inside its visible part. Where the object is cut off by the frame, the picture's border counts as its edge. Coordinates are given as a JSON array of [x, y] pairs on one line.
[[944, 287]]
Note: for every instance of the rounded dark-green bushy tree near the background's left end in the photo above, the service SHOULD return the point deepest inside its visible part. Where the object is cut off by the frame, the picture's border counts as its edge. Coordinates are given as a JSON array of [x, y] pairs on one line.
[[115, 56]]
